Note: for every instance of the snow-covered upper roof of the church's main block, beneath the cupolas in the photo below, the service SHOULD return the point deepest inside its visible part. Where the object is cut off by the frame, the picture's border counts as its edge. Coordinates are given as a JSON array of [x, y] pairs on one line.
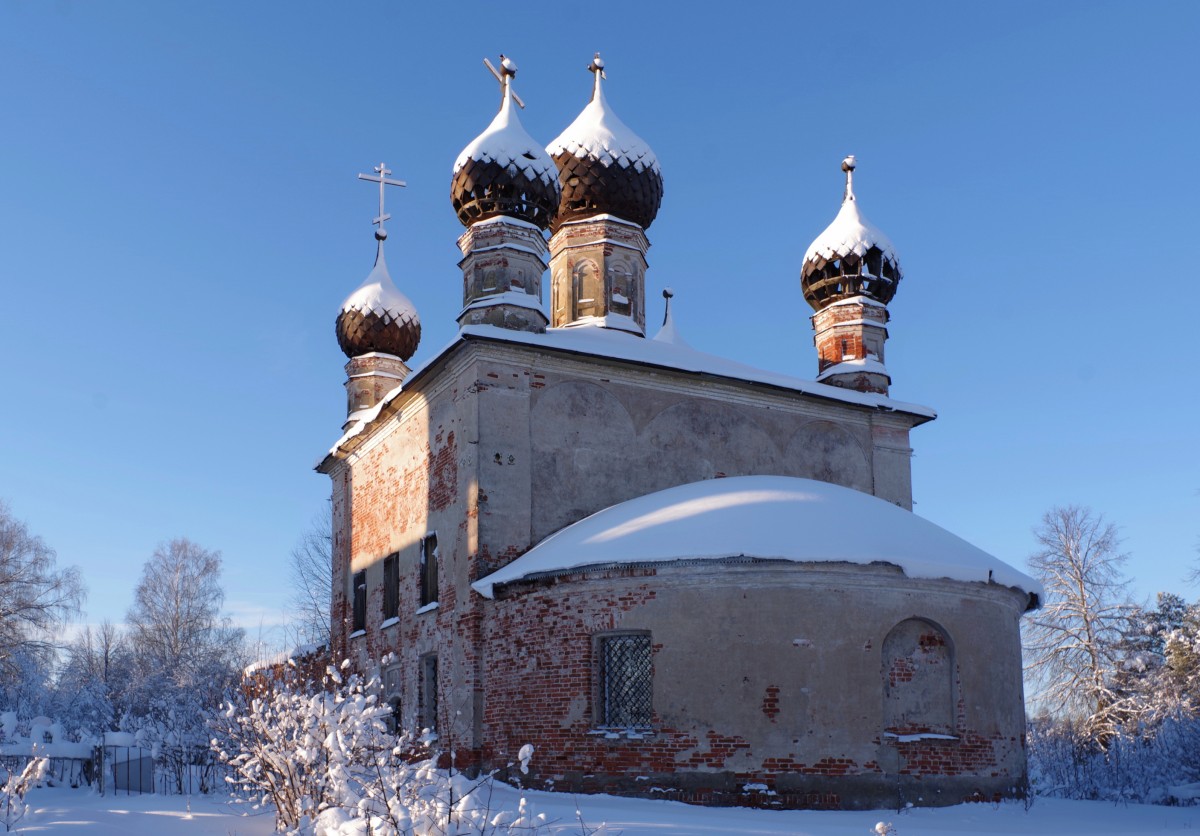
[[617, 345]]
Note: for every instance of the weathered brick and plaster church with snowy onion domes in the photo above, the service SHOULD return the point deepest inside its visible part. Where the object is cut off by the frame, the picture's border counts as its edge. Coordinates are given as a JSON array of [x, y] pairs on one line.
[[673, 574]]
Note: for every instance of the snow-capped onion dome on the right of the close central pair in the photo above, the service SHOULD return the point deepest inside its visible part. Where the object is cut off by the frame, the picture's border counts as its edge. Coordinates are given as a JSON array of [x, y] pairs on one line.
[[604, 167]]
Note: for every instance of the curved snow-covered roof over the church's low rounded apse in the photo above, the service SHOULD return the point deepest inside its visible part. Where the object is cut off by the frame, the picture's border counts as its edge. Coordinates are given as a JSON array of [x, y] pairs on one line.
[[746, 516]]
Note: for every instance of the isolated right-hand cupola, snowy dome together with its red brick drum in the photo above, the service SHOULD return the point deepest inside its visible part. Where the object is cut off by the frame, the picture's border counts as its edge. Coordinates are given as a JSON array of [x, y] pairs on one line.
[[850, 275]]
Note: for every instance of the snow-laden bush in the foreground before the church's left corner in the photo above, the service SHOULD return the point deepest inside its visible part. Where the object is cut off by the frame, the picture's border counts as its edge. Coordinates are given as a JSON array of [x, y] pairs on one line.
[[320, 751]]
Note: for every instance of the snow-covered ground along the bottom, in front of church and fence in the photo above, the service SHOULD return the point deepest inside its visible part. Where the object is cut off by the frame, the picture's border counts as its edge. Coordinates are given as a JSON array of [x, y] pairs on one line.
[[74, 811]]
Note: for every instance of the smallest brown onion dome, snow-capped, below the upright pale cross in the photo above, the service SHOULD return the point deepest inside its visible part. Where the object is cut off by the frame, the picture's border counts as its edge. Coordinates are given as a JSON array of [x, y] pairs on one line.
[[379, 317]]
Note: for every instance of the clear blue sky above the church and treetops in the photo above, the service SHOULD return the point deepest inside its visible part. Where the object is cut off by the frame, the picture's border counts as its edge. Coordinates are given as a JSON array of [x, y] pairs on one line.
[[181, 220]]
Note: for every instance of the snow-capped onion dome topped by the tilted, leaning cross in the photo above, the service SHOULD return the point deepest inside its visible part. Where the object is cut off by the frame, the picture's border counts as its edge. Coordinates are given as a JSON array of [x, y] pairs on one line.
[[505, 172]]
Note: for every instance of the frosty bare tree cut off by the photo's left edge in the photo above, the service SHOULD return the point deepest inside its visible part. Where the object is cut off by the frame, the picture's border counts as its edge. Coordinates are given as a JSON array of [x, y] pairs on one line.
[[34, 596]]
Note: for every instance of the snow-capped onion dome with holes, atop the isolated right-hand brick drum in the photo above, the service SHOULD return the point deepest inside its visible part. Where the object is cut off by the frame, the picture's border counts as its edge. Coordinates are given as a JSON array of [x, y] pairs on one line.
[[850, 258]]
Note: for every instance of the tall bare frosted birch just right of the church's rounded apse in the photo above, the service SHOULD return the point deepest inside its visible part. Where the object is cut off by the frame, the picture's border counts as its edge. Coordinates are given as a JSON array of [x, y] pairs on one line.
[[1073, 643]]
